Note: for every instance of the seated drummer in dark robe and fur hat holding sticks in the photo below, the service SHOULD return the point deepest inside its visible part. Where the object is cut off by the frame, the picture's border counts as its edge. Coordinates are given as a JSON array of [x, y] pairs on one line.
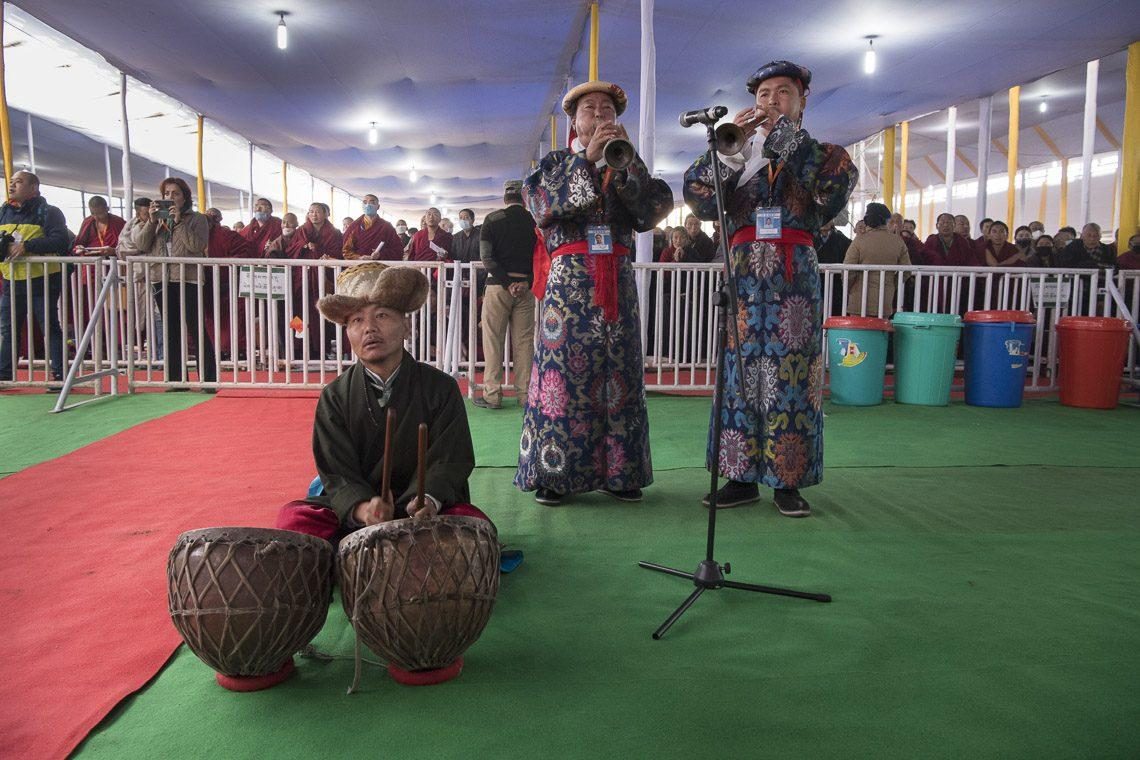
[[373, 304]]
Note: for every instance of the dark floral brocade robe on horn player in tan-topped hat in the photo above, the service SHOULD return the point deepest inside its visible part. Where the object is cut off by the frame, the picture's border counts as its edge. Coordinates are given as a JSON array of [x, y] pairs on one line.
[[585, 426]]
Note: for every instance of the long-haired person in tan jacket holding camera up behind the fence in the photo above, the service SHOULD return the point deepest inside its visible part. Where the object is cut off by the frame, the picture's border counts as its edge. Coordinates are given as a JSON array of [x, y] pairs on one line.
[[176, 231]]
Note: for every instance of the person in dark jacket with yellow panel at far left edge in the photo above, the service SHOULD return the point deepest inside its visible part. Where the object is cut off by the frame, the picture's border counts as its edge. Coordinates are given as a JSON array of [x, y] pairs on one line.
[[30, 227]]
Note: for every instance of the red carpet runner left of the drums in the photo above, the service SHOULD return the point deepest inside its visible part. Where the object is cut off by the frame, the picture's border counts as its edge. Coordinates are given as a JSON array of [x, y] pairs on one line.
[[84, 617]]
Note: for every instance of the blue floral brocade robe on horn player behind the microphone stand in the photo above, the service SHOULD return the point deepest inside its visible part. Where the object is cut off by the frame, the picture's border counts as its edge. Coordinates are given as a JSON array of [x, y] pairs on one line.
[[773, 427]]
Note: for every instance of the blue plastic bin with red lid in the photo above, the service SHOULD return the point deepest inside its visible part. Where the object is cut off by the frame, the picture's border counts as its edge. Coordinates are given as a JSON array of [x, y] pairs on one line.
[[997, 348]]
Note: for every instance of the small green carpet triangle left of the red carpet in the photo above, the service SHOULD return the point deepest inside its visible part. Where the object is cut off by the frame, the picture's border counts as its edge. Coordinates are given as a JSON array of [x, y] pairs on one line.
[[30, 435]]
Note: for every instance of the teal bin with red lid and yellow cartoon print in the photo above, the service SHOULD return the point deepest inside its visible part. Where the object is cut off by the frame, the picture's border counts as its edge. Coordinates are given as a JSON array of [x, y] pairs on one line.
[[857, 359]]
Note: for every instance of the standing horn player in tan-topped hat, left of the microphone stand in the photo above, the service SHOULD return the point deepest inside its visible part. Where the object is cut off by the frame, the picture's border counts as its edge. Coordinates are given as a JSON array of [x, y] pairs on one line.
[[585, 426]]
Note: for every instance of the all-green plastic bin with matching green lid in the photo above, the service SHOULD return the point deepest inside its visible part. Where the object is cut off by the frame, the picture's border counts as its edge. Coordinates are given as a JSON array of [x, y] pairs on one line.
[[925, 349]]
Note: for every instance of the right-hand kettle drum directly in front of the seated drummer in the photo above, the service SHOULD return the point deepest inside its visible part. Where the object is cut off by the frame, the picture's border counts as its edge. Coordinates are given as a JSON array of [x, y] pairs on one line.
[[420, 592]]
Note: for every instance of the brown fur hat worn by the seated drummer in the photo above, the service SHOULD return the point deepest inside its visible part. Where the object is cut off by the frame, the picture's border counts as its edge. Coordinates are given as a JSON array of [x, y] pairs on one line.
[[401, 289]]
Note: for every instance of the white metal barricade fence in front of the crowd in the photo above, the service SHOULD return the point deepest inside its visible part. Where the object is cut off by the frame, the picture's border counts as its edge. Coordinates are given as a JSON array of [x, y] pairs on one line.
[[253, 323]]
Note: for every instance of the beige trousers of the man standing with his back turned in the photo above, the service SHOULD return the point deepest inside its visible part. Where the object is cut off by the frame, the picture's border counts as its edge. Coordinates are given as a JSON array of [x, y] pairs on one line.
[[500, 310]]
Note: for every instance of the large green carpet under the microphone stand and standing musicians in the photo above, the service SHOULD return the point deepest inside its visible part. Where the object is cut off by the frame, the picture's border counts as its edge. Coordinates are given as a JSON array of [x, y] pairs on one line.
[[979, 611]]
